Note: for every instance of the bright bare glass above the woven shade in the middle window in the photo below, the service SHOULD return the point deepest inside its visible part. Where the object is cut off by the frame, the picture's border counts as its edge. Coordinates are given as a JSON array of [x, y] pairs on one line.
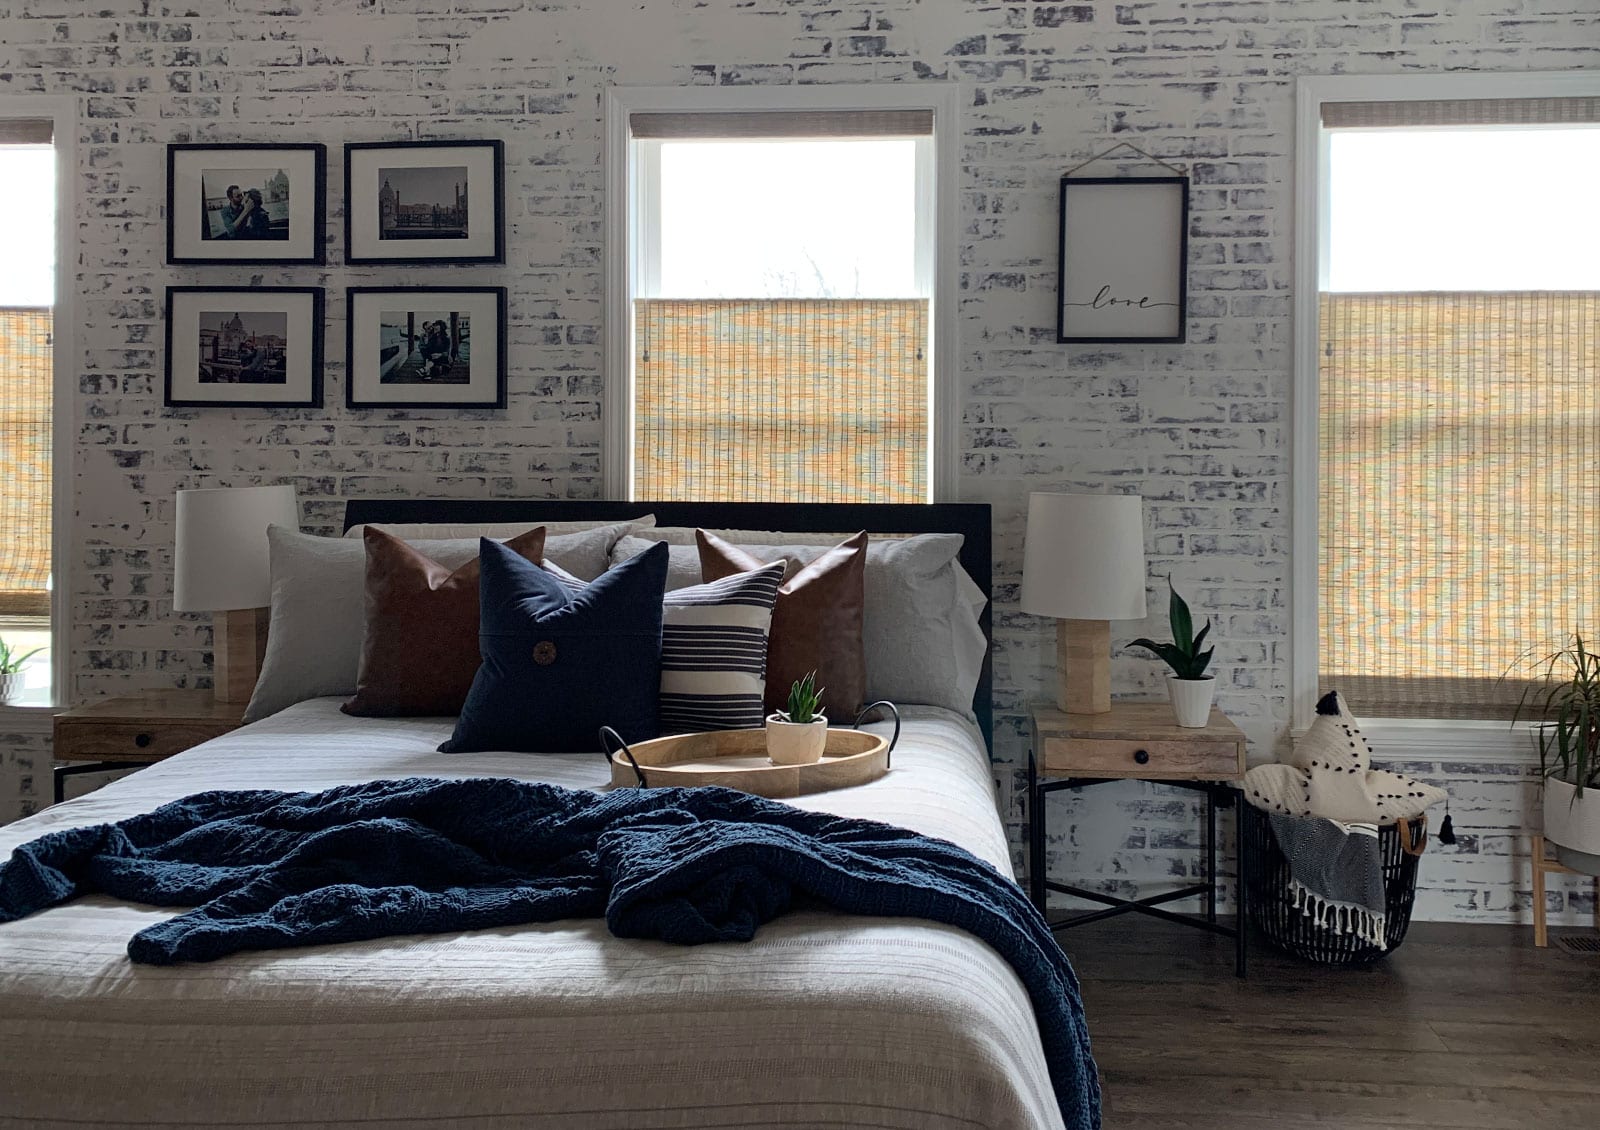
[[788, 220]]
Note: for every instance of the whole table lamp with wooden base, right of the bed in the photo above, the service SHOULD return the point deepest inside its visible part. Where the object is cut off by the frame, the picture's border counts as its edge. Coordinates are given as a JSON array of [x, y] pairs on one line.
[[1084, 564]]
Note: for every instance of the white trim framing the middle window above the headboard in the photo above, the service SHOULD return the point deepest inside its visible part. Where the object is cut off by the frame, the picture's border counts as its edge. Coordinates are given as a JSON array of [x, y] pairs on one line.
[[620, 239]]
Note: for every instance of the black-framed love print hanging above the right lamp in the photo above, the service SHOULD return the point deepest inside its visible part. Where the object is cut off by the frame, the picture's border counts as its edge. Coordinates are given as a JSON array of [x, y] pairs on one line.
[[1124, 260]]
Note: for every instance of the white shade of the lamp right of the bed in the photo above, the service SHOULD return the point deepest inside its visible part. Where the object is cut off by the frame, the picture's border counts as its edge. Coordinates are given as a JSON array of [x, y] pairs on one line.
[[1084, 556]]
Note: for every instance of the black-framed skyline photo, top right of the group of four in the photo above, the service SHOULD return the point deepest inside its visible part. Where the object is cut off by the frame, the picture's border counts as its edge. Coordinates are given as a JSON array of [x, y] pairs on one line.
[[425, 202]]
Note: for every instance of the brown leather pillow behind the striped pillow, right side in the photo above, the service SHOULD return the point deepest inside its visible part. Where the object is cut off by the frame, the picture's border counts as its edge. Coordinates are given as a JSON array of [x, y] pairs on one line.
[[817, 623]]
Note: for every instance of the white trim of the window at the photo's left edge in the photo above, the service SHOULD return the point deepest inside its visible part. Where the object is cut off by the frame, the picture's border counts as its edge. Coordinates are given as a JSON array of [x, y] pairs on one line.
[[63, 111]]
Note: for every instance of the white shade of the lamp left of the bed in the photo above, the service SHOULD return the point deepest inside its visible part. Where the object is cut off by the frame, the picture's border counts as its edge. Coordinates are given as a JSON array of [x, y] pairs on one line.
[[222, 555]]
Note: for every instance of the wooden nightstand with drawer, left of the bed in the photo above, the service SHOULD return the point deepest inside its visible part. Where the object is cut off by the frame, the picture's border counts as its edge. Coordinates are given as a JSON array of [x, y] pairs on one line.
[[137, 731]]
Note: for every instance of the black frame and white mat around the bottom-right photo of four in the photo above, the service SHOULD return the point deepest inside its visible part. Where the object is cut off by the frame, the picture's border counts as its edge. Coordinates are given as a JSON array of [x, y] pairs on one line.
[[364, 351]]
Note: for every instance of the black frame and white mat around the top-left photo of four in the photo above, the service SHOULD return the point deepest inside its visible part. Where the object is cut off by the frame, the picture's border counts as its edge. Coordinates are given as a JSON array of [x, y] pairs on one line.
[[186, 194]]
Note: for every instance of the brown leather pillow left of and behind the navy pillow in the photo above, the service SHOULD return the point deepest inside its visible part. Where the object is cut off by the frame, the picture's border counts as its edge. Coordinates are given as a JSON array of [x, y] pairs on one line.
[[422, 647]]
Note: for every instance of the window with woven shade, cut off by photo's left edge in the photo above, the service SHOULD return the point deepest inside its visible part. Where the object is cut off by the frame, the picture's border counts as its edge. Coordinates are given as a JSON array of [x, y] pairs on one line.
[[28, 294]]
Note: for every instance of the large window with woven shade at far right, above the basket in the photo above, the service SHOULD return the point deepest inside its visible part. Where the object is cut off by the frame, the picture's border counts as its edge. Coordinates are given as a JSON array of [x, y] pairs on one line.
[[1457, 396]]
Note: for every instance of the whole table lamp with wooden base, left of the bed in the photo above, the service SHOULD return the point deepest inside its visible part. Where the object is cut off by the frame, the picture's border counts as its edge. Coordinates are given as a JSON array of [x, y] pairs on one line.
[[222, 567]]
